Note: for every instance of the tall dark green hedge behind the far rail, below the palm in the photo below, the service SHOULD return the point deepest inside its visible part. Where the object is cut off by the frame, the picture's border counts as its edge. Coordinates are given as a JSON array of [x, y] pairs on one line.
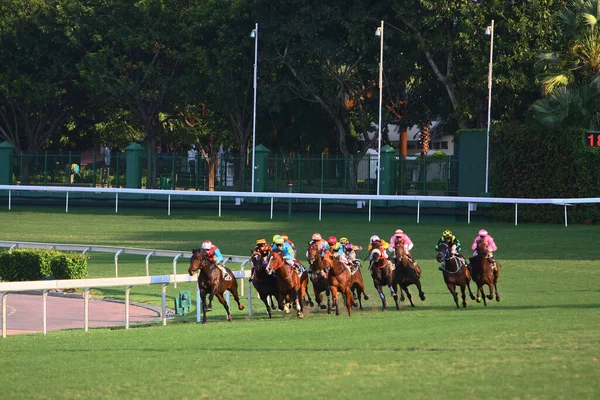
[[532, 162]]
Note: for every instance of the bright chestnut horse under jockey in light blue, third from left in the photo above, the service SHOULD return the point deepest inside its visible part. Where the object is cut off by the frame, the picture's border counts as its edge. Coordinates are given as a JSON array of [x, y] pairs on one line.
[[288, 282]]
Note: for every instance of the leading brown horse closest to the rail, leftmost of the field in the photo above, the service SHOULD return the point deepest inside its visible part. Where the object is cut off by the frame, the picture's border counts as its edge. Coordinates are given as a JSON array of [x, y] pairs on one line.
[[211, 281]]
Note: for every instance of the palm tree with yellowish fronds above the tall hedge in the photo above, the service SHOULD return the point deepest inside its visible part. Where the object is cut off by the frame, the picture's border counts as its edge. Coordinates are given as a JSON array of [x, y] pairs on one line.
[[570, 79]]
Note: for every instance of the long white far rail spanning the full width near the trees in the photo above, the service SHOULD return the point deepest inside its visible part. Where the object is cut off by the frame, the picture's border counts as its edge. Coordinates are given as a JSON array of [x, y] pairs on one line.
[[470, 202]]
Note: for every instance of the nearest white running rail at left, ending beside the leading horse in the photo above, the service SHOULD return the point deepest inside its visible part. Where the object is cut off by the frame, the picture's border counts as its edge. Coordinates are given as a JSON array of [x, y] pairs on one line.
[[87, 284]]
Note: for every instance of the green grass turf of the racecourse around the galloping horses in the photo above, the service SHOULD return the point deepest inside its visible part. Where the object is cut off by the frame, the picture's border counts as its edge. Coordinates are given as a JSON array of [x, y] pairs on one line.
[[541, 341]]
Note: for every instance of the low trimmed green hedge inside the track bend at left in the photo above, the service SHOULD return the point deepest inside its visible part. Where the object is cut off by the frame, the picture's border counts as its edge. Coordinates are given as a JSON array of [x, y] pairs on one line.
[[34, 264]]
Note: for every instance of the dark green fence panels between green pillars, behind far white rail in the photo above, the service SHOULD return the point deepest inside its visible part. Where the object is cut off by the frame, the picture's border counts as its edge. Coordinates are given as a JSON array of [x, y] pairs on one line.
[[306, 174]]
